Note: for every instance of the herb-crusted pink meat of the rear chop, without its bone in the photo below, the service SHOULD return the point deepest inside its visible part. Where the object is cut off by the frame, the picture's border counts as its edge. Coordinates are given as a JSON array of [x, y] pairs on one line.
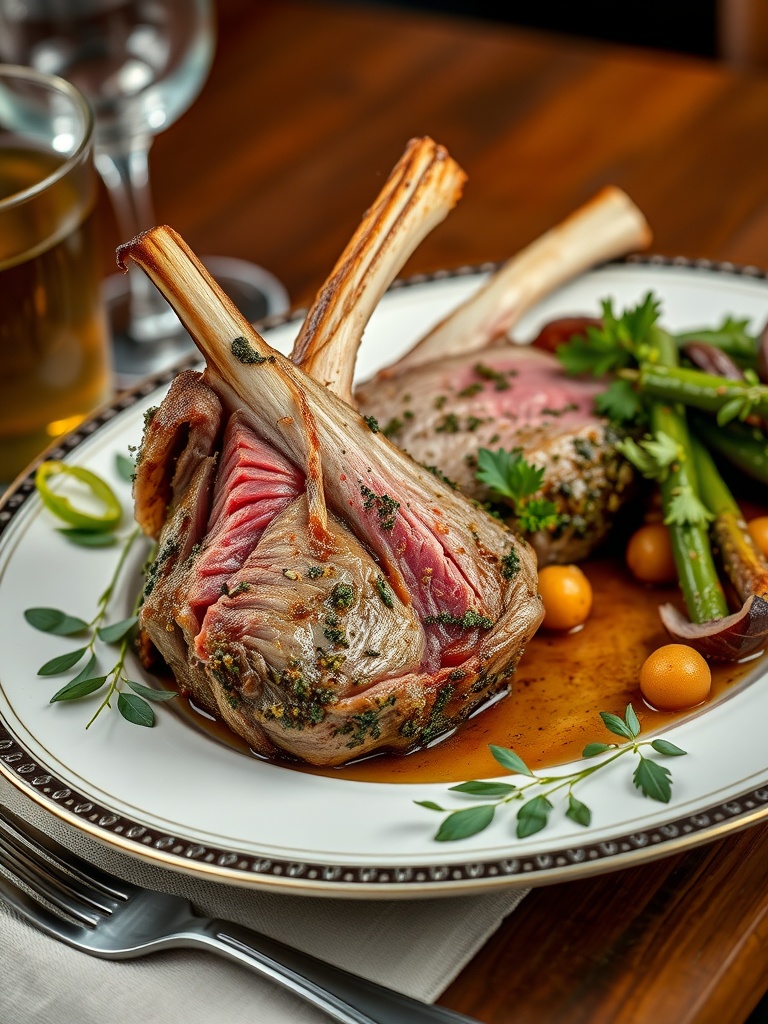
[[511, 397]]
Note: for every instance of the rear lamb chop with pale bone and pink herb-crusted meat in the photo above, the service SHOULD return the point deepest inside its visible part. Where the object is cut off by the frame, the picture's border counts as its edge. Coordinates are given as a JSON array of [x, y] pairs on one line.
[[464, 387]]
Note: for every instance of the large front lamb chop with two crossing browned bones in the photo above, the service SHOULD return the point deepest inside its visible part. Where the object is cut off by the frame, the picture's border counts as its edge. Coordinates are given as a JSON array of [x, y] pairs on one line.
[[315, 587]]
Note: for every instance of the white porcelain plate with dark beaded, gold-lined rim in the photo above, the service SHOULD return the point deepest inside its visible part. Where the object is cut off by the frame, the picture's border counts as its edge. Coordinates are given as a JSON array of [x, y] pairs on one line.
[[173, 795]]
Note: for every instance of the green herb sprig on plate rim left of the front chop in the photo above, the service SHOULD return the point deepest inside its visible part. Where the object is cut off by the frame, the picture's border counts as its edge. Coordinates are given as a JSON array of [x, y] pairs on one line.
[[98, 631]]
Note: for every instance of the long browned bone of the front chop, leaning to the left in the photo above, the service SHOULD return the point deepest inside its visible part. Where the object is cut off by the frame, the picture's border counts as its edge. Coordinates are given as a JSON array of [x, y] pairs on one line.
[[313, 429]]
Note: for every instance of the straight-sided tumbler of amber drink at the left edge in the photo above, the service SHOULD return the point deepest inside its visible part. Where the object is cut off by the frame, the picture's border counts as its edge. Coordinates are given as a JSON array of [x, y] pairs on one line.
[[55, 354]]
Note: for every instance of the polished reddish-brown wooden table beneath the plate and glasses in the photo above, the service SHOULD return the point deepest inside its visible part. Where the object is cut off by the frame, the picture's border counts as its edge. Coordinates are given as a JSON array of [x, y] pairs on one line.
[[308, 109]]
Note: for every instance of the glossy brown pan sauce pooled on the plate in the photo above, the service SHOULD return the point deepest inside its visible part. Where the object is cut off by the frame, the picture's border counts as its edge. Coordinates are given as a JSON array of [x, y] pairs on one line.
[[563, 684]]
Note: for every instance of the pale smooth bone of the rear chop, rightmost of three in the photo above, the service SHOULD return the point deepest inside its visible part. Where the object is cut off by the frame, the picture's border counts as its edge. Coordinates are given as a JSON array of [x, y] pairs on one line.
[[609, 227]]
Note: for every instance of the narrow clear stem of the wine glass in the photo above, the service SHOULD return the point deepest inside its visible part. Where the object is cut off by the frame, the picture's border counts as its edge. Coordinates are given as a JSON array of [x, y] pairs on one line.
[[126, 175]]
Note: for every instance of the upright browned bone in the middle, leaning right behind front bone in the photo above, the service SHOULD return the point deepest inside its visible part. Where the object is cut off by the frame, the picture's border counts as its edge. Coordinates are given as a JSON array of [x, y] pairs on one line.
[[423, 188]]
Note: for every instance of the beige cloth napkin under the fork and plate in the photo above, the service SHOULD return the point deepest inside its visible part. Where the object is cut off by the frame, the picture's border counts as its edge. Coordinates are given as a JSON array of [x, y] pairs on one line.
[[416, 947]]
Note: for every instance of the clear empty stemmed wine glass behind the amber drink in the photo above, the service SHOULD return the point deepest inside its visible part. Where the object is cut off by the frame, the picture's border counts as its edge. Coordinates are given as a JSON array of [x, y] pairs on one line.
[[141, 64]]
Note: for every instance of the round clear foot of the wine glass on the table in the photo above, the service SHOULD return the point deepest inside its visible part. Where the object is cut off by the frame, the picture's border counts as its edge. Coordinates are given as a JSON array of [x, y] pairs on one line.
[[254, 291]]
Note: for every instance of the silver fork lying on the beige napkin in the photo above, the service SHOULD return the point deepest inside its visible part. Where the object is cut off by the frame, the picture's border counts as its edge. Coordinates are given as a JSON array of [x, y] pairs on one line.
[[105, 917]]
